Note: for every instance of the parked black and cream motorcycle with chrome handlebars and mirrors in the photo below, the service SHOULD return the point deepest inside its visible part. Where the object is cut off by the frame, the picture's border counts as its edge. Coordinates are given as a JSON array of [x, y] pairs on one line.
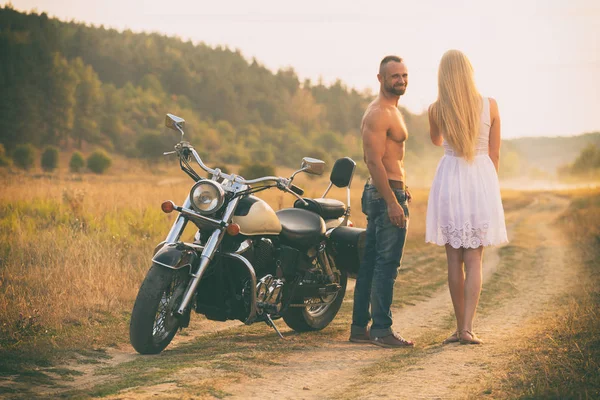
[[248, 262]]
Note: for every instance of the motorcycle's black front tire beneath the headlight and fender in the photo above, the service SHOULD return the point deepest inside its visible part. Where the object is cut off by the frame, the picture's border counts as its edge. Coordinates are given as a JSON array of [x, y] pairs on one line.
[[153, 324]]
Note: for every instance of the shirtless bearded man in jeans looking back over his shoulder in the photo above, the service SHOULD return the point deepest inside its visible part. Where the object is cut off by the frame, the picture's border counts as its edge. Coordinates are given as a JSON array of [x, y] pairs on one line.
[[384, 201]]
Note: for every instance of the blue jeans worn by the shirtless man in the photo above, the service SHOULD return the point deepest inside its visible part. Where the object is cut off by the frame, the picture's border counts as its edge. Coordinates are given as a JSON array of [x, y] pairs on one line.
[[384, 246]]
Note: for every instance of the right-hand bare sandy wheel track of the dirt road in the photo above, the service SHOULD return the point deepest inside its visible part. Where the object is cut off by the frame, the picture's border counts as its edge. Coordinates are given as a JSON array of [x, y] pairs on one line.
[[447, 374]]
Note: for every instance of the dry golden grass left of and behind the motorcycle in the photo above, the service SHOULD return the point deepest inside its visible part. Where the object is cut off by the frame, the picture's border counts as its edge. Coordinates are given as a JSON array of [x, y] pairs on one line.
[[74, 249]]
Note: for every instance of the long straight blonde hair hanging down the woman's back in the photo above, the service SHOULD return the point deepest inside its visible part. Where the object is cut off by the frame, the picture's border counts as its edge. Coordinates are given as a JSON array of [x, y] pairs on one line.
[[458, 106]]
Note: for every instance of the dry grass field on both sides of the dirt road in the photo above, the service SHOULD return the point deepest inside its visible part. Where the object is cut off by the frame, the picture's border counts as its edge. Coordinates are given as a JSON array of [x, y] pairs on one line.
[[75, 248]]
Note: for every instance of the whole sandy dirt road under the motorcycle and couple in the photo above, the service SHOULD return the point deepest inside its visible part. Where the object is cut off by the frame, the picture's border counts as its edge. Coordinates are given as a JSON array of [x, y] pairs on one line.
[[521, 280]]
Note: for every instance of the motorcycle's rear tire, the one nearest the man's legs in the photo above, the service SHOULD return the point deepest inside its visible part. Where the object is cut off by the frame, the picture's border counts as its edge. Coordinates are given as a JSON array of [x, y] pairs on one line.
[[318, 317]]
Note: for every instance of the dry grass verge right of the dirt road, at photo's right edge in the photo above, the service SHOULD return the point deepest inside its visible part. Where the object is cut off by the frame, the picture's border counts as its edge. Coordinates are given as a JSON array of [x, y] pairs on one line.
[[559, 353]]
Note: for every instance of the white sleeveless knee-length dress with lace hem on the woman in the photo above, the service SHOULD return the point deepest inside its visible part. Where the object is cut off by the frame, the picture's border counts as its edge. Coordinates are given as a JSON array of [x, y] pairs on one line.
[[464, 207]]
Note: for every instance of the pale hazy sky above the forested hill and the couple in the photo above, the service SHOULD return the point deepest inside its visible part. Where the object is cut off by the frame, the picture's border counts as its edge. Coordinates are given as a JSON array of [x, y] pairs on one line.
[[540, 59]]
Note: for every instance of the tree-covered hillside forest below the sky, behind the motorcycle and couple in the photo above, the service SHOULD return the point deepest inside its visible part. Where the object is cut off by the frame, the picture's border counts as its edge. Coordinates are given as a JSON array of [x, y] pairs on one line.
[[81, 87]]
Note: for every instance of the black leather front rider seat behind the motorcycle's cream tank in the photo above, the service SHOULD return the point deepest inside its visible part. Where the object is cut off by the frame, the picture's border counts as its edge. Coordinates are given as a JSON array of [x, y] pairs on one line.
[[300, 228]]
